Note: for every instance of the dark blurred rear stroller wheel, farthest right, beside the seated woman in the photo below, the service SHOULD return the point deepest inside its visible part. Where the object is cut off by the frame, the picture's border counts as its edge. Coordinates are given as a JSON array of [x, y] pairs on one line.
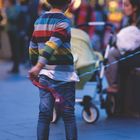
[[110, 105]]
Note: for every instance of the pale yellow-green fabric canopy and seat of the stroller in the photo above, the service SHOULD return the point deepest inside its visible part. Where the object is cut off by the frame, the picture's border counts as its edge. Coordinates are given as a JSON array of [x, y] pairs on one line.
[[85, 58]]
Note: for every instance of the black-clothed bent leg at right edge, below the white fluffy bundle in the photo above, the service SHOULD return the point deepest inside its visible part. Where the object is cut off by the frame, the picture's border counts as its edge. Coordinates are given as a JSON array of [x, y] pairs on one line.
[[125, 68]]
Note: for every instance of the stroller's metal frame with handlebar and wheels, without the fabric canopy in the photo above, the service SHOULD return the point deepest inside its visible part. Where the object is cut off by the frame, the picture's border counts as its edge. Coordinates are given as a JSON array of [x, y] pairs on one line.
[[90, 112]]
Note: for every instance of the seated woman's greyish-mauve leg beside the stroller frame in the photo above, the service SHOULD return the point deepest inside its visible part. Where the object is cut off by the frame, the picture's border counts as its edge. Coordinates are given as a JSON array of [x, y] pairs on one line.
[[112, 70]]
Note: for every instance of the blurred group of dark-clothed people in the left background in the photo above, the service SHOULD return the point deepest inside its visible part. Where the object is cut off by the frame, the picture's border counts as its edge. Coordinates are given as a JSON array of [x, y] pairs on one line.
[[17, 19]]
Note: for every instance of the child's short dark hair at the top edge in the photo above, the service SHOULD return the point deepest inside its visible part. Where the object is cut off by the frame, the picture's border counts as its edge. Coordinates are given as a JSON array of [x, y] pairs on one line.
[[58, 3]]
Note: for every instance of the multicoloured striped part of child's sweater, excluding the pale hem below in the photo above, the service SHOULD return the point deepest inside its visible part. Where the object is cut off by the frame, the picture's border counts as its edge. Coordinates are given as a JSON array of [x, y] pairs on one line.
[[50, 41]]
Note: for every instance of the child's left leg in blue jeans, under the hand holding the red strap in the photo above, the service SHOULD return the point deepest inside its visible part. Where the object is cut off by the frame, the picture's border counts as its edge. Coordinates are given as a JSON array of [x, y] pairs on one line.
[[45, 110]]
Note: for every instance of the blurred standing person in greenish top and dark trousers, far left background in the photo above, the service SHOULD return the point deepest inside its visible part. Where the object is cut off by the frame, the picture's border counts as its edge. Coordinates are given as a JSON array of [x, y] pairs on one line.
[[12, 14]]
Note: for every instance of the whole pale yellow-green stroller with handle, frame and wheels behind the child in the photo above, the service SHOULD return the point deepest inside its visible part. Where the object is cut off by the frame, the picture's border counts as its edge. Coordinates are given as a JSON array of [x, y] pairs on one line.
[[88, 62]]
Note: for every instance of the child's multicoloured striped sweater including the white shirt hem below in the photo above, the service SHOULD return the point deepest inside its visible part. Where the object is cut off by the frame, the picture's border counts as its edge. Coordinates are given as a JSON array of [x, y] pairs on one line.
[[50, 45]]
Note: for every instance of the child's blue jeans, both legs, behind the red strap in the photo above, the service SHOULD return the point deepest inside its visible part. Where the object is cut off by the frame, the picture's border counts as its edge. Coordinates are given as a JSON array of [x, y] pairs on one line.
[[67, 91]]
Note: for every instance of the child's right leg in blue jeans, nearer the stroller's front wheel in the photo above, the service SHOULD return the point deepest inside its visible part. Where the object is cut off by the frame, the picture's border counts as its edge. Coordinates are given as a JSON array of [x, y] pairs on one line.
[[67, 91]]
